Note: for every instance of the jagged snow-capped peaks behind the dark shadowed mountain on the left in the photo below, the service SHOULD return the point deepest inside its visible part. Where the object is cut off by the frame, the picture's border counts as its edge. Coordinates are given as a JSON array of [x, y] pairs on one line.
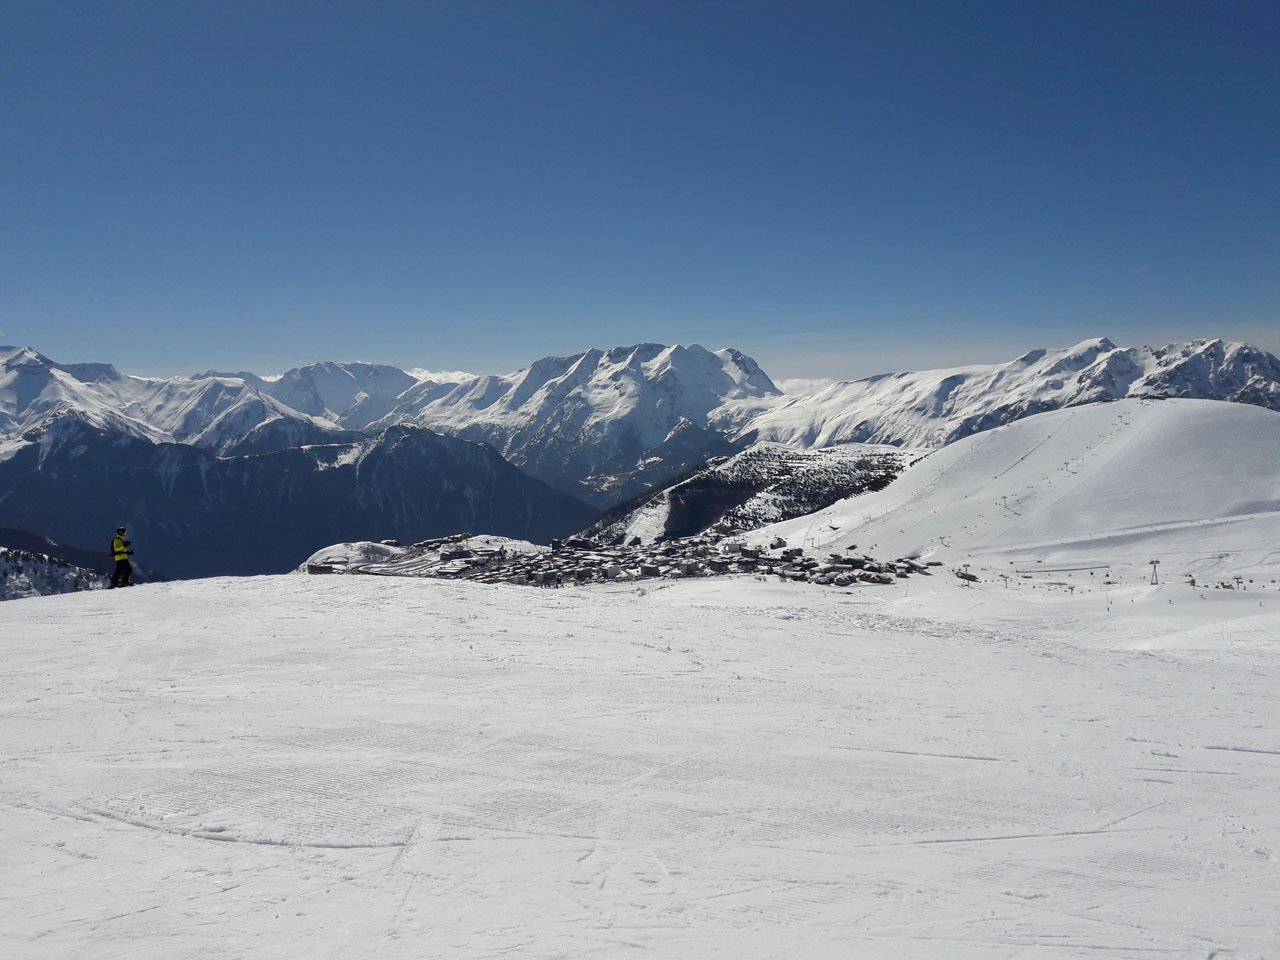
[[601, 426]]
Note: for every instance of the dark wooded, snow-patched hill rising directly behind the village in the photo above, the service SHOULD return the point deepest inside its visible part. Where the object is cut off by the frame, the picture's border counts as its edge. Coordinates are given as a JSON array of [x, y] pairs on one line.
[[765, 484]]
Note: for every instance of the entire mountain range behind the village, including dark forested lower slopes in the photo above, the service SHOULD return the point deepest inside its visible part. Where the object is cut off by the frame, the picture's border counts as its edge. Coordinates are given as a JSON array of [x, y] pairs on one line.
[[240, 473]]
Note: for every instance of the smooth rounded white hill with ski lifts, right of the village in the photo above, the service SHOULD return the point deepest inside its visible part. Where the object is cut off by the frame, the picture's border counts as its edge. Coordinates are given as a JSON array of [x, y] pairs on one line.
[[1174, 479]]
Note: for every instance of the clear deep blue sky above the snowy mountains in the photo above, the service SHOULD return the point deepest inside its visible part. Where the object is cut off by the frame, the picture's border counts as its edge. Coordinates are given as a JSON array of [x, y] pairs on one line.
[[838, 189]]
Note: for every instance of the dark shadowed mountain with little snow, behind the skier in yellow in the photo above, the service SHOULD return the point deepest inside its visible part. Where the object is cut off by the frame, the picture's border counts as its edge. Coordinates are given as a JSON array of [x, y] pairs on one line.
[[191, 514]]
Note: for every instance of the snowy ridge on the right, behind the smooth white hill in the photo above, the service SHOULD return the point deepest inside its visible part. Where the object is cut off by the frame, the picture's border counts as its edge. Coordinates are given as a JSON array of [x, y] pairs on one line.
[[935, 408]]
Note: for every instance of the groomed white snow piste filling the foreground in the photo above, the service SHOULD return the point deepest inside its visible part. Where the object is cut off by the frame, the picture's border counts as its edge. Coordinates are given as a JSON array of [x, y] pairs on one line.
[[364, 767]]
